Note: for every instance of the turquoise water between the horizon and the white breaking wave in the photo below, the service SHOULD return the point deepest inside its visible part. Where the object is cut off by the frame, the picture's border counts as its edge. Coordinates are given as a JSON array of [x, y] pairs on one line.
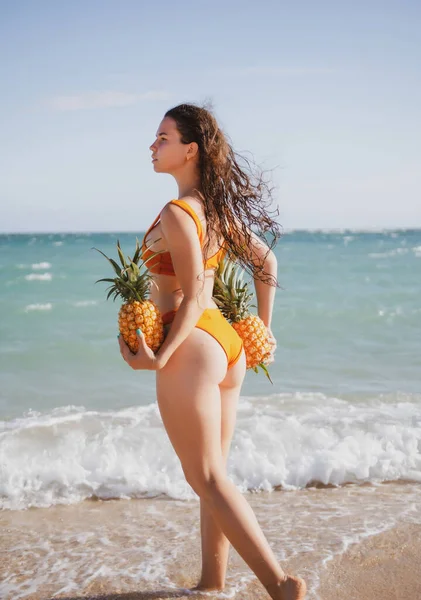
[[348, 320]]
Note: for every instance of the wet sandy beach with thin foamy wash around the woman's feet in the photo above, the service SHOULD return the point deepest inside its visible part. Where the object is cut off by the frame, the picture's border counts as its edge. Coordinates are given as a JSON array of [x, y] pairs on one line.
[[338, 539]]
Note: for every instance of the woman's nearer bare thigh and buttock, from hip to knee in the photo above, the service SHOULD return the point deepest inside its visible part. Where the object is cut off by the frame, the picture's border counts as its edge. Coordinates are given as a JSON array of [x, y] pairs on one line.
[[189, 400]]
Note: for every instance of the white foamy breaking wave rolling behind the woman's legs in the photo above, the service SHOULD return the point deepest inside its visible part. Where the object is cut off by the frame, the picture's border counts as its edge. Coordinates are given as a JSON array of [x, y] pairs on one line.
[[287, 441]]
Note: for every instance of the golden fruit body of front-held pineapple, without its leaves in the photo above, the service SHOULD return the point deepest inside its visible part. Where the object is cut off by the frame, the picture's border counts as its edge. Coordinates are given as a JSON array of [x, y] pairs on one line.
[[144, 316]]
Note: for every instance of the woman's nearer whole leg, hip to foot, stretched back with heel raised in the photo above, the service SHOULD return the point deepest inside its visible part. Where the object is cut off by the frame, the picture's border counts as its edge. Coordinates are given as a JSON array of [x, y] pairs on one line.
[[190, 405]]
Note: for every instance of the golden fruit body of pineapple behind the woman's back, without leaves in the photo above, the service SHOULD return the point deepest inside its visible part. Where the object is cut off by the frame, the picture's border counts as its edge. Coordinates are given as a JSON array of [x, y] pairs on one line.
[[252, 331]]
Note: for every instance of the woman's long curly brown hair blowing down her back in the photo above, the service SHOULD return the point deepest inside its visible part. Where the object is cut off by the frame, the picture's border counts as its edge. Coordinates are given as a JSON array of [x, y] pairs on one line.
[[235, 195]]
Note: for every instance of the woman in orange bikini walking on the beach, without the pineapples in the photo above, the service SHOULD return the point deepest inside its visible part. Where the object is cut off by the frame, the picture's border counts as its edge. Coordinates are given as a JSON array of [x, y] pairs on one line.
[[201, 365]]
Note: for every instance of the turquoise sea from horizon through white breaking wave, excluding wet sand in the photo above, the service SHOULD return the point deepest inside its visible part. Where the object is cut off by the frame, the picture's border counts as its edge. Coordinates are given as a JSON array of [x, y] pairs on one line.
[[345, 404]]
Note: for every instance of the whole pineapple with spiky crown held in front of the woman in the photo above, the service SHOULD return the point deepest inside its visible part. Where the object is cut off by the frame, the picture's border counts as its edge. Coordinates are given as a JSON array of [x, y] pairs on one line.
[[137, 312]]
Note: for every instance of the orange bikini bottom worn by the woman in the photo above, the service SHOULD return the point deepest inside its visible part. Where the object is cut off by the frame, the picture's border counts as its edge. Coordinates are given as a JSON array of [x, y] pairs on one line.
[[213, 322]]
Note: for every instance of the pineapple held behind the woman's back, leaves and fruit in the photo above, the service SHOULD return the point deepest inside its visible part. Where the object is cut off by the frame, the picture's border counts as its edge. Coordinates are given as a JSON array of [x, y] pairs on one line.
[[233, 297]]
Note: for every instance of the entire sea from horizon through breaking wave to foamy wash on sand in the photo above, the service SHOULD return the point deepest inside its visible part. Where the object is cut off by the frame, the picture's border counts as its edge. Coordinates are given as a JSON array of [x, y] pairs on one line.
[[333, 444]]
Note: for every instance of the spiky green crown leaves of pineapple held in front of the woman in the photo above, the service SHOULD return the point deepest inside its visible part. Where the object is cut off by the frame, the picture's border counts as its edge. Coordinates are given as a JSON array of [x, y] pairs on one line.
[[130, 282]]
